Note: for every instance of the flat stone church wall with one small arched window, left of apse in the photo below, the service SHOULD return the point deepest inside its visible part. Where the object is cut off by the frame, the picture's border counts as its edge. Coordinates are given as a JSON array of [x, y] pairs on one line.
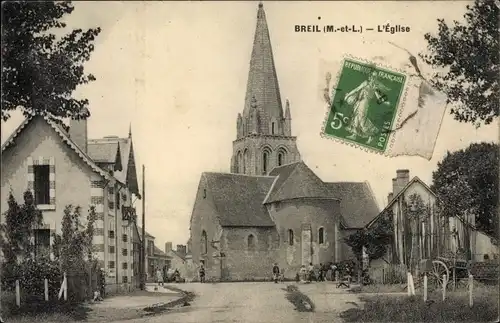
[[249, 258]]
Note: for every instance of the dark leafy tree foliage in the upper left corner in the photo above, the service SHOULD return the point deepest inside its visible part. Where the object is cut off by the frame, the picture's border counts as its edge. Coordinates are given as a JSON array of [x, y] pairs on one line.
[[39, 71]]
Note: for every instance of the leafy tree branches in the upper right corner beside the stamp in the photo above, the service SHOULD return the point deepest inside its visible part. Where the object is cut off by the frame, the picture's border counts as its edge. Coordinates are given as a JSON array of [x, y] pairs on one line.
[[470, 53]]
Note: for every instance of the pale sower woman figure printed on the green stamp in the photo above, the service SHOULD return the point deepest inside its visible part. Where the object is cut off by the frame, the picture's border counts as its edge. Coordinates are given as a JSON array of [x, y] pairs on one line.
[[360, 98]]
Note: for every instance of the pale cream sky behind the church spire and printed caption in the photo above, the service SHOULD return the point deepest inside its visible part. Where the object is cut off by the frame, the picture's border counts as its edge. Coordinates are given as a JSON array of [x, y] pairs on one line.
[[177, 71]]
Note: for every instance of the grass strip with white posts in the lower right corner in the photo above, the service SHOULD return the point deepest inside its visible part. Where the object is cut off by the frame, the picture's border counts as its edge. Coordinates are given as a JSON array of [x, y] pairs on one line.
[[391, 308]]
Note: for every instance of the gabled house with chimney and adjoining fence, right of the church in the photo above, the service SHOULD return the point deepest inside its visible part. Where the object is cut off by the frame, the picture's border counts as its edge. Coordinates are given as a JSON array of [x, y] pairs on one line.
[[435, 235]]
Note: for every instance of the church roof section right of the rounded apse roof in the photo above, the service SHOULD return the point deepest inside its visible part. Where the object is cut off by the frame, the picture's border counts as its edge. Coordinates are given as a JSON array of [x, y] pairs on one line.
[[357, 202]]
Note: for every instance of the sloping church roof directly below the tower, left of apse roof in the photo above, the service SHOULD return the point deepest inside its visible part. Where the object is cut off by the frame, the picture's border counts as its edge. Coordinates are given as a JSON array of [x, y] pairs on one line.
[[238, 198]]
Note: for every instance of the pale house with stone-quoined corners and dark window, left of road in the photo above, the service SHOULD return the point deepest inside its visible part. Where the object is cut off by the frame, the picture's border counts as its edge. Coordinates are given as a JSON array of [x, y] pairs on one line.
[[63, 168]]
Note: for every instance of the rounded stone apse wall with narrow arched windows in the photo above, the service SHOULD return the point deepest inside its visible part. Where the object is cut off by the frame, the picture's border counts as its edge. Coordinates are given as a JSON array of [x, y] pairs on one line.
[[305, 217]]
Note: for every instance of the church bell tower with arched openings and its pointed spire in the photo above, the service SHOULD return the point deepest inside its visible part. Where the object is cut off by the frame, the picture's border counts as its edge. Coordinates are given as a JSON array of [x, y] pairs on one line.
[[264, 132]]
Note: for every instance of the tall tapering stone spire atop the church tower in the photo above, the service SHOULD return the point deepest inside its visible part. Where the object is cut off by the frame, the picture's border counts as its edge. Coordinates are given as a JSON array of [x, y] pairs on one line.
[[262, 85]]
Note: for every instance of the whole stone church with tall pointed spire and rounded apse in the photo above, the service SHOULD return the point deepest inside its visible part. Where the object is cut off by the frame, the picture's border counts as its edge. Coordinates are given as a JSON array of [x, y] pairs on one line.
[[271, 207]]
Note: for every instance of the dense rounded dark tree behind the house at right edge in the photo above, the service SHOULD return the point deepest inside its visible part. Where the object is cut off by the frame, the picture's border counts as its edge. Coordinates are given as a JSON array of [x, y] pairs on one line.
[[466, 183]]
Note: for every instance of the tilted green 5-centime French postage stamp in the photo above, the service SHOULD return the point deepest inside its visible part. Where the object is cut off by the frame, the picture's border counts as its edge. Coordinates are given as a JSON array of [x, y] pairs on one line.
[[365, 105]]
